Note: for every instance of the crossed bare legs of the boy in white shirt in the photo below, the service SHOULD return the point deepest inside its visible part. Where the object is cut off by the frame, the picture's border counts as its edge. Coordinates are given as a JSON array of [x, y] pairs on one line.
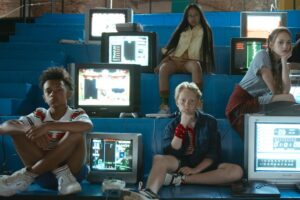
[[70, 147]]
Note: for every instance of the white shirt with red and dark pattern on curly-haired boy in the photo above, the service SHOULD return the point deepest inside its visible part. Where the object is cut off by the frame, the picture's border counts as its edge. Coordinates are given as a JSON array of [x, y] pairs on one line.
[[42, 115]]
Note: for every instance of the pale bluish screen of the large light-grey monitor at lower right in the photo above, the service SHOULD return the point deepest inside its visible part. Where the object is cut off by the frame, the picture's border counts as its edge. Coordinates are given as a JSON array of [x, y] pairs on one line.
[[277, 147]]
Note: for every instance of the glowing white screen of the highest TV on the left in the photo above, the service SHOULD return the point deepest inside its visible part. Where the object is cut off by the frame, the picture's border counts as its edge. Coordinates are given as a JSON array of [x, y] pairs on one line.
[[105, 22]]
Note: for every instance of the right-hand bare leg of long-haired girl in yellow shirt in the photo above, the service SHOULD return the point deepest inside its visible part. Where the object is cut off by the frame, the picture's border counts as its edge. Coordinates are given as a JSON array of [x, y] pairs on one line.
[[194, 68]]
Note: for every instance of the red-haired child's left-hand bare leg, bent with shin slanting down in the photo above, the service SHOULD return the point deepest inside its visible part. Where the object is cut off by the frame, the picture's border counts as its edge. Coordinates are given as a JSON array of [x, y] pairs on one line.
[[162, 164]]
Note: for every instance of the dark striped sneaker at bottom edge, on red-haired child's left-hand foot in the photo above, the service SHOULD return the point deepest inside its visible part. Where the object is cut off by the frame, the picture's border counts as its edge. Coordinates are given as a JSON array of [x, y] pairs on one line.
[[139, 195]]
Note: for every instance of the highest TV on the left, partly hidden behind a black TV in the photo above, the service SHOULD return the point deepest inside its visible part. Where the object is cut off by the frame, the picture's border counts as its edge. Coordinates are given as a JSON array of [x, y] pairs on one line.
[[100, 20]]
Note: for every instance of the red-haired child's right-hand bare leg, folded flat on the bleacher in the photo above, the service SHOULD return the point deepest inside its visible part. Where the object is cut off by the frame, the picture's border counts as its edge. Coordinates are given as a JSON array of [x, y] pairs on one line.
[[225, 173]]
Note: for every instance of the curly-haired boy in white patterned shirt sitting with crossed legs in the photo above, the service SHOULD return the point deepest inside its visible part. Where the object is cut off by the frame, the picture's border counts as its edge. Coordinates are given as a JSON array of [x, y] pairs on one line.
[[50, 142]]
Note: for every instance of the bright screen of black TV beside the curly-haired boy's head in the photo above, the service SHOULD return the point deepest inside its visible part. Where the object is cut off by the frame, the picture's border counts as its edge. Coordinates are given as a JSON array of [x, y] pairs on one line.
[[98, 87]]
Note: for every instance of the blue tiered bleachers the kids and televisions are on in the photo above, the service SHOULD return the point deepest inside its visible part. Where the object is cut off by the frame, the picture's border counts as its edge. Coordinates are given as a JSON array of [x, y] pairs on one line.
[[34, 47]]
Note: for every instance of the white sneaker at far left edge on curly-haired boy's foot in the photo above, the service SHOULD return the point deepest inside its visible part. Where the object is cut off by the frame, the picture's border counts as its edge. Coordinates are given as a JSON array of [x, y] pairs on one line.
[[17, 182]]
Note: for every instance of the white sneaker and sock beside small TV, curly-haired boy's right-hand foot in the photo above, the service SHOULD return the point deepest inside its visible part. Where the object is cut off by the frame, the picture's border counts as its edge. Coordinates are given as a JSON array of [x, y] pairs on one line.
[[67, 183]]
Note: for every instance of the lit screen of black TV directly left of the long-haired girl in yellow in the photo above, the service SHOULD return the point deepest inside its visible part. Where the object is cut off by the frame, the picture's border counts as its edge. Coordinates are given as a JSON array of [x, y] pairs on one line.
[[129, 49]]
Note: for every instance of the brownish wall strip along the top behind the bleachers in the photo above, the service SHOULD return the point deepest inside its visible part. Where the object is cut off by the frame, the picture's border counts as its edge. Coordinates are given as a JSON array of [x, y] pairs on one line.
[[139, 6]]
